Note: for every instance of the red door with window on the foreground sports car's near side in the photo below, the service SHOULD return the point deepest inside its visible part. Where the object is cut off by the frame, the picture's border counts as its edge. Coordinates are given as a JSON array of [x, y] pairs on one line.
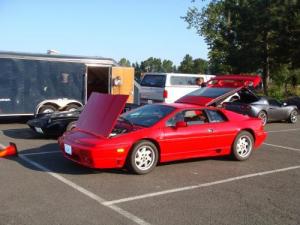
[[186, 141]]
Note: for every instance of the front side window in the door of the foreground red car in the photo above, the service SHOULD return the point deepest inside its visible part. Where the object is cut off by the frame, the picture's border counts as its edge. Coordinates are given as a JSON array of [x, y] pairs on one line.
[[191, 117]]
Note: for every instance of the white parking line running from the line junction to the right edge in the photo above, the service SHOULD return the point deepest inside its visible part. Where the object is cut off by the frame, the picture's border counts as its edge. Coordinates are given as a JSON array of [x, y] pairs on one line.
[[153, 194]]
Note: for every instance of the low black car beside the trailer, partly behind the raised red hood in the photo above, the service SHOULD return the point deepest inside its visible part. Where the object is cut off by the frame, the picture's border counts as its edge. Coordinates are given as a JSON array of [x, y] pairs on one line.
[[55, 124]]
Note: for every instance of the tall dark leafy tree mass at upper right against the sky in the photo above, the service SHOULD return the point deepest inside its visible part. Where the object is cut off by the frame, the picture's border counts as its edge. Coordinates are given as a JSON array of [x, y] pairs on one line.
[[246, 36]]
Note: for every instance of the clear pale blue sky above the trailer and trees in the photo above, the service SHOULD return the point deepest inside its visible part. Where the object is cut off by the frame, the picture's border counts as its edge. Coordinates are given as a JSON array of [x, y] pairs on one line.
[[133, 29]]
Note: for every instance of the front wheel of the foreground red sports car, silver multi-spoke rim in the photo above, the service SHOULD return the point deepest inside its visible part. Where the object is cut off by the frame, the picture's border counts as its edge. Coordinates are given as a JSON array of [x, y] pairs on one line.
[[138, 161]]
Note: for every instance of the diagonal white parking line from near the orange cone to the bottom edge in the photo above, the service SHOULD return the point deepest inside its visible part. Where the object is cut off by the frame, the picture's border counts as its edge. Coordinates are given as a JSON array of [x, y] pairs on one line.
[[86, 192]]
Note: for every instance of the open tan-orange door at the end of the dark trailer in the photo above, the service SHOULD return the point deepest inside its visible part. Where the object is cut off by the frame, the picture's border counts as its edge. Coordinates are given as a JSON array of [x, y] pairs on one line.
[[123, 81]]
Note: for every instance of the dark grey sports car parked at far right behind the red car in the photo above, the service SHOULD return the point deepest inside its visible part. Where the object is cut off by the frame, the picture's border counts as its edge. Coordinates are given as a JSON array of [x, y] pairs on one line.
[[268, 109]]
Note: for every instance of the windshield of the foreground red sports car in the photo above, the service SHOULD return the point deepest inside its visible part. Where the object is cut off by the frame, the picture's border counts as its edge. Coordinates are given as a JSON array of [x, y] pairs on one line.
[[147, 115]]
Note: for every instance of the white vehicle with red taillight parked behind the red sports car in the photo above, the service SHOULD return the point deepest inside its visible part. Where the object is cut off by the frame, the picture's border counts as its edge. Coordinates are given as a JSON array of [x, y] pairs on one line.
[[168, 87]]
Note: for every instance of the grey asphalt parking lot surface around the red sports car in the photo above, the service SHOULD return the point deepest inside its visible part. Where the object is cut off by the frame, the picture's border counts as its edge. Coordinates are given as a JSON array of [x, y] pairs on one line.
[[41, 187]]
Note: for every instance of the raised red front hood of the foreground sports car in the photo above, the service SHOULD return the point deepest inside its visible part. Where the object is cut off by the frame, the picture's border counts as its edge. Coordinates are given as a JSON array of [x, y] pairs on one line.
[[101, 113]]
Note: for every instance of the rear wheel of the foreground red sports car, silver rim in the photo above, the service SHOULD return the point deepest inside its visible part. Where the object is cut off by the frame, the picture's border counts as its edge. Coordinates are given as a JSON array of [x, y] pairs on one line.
[[242, 146]]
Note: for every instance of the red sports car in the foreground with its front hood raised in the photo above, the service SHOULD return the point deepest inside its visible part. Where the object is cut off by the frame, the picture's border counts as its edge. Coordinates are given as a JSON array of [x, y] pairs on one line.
[[156, 133]]
